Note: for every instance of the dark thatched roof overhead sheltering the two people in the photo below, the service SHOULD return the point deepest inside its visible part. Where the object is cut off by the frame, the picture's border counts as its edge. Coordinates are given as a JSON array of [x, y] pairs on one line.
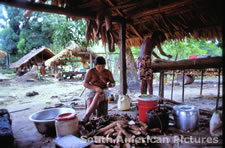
[[178, 19]]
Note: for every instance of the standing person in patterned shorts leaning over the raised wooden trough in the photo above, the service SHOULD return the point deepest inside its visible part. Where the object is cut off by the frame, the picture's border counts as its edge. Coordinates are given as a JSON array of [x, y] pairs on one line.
[[145, 58]]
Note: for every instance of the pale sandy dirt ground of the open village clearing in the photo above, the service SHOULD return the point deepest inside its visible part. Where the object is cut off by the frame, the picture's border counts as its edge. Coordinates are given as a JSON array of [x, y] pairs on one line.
[[51, 91]]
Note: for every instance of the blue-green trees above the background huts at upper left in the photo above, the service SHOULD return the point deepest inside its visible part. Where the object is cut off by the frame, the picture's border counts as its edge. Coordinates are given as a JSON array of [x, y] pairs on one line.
[[21, 35]]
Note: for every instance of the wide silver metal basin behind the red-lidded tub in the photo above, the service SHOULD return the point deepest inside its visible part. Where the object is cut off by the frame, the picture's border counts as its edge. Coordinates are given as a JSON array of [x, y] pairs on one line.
[[44, 120]]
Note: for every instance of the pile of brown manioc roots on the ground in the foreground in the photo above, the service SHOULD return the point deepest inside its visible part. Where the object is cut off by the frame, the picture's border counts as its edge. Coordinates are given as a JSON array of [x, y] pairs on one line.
[[118, 131]]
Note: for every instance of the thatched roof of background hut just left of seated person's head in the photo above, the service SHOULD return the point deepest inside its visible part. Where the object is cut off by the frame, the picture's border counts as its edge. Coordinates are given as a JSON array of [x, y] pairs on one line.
[[72, 51]]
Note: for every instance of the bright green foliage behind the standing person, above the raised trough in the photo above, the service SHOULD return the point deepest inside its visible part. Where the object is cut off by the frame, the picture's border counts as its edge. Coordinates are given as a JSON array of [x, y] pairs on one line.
[[186, 48]]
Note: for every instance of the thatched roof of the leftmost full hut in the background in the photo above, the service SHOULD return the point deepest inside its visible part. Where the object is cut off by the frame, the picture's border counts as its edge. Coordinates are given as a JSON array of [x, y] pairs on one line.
[[36, 55]]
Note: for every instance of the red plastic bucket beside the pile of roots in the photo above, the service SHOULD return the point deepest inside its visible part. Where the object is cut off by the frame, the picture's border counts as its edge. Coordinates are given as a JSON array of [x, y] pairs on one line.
[[145, 105]]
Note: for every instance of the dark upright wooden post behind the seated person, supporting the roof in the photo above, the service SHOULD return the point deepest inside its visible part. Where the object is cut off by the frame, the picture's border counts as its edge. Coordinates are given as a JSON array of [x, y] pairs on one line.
[[123, 75]]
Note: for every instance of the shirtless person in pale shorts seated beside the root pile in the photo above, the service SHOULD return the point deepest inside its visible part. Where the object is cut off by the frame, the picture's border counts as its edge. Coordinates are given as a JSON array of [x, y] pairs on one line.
[[97, 80]]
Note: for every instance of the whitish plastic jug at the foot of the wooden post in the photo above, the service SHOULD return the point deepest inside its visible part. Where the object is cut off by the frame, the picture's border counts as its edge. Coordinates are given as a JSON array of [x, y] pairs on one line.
[[123, 102]]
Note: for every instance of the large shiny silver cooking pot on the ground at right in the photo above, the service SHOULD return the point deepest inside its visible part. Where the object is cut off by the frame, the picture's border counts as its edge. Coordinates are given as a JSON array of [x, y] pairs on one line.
[[186, 117]]
